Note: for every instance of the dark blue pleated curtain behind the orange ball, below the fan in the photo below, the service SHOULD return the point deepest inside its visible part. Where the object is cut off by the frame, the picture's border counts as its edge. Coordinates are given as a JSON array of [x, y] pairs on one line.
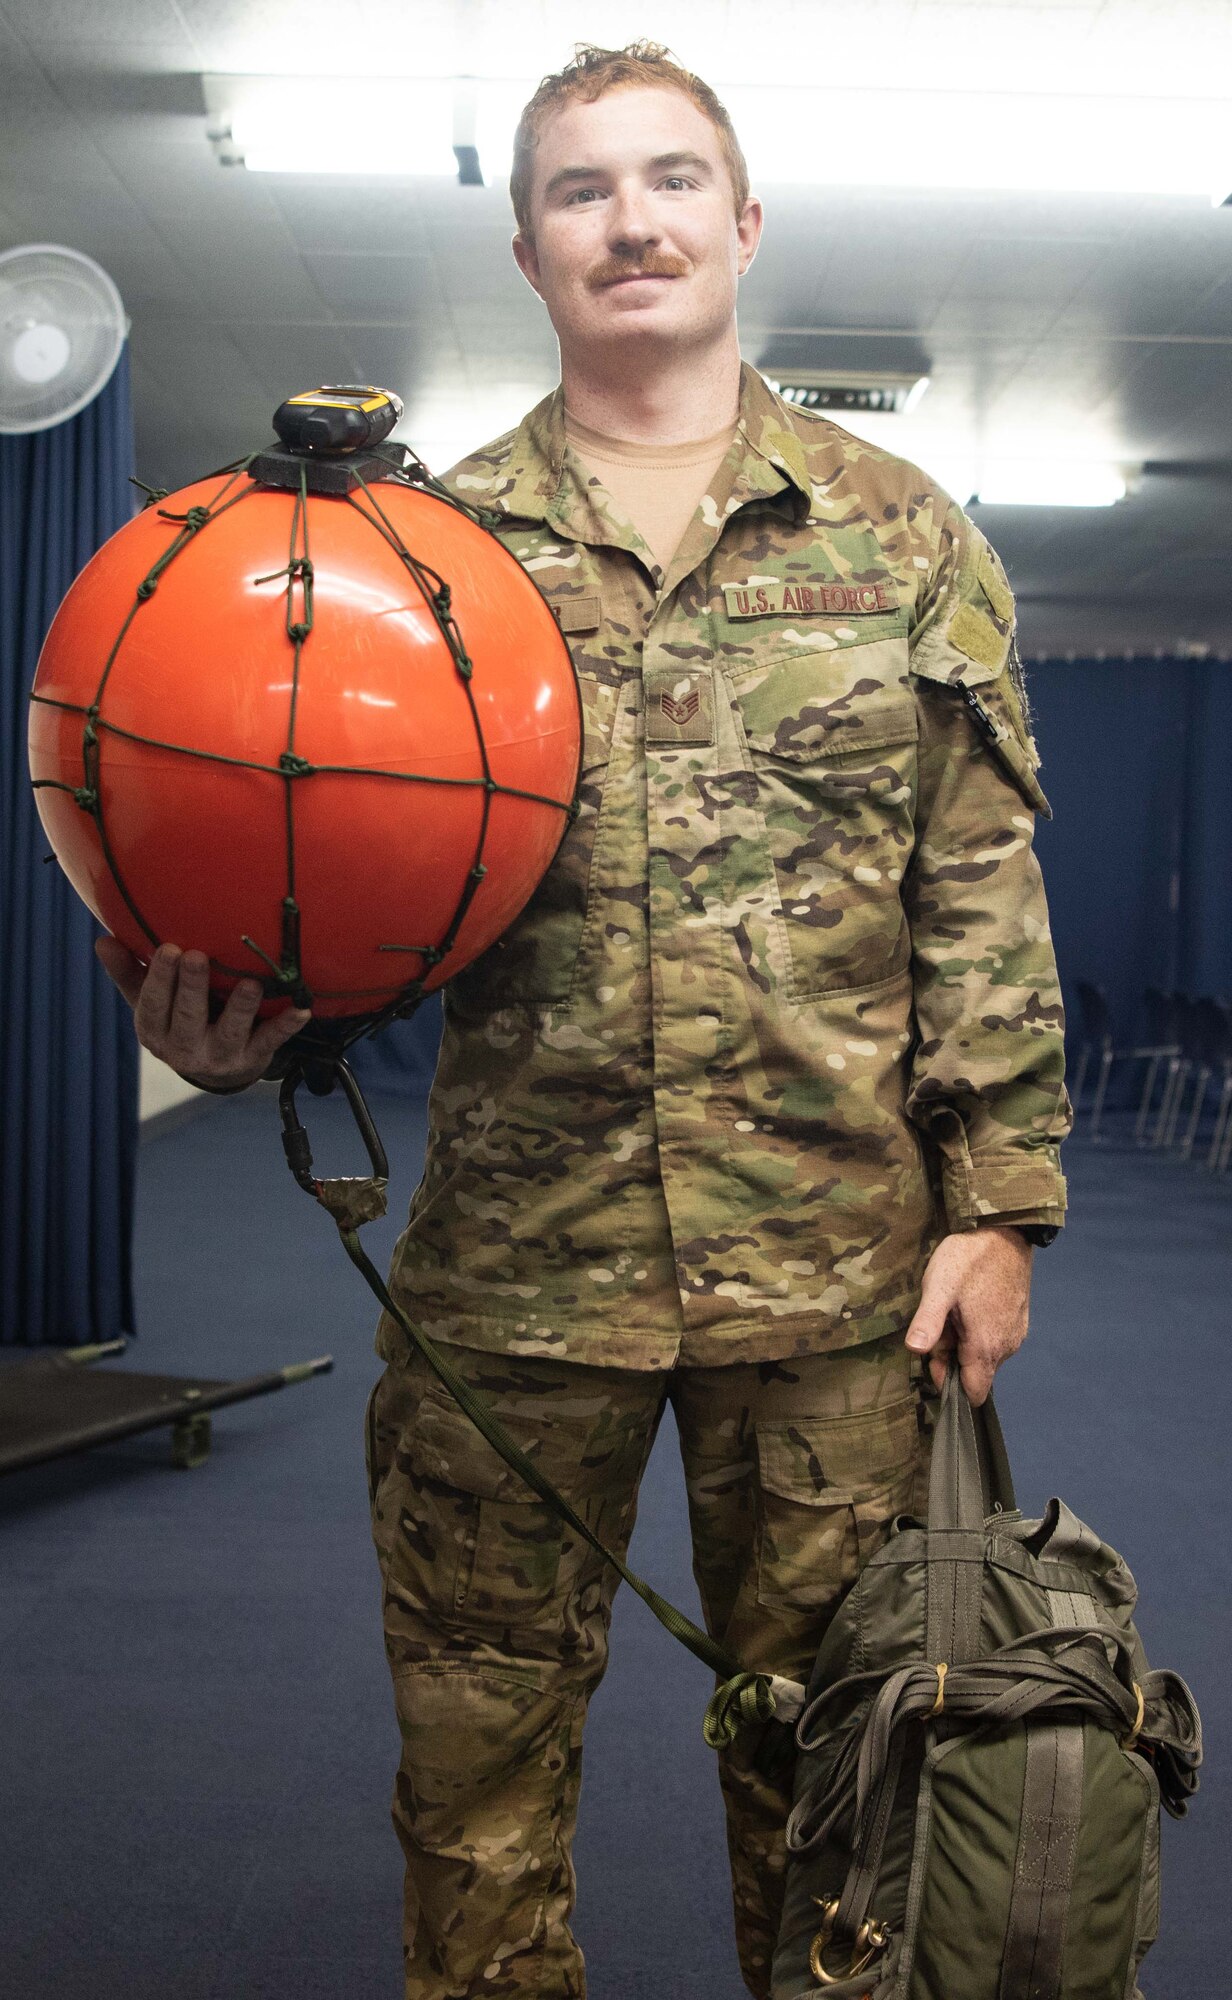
[[67, 1047]]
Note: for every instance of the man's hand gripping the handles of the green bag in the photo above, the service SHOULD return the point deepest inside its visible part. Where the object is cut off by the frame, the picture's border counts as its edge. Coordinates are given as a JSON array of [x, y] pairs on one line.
[[975, 1301]]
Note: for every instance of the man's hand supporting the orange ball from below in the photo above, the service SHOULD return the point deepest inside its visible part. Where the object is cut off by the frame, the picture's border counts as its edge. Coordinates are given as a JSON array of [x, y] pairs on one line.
[[171, 1013]]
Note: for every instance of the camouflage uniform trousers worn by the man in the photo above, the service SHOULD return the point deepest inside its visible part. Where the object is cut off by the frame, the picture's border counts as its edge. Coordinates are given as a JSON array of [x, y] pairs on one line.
[[497, 1617]]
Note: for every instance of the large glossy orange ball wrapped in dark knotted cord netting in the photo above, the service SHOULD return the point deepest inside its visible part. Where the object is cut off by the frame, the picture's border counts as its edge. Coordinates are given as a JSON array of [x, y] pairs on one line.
[[329, 741]]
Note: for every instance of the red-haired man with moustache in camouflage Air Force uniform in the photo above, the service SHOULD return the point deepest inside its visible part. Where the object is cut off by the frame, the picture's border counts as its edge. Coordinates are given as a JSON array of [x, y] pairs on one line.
[[765, 1077]]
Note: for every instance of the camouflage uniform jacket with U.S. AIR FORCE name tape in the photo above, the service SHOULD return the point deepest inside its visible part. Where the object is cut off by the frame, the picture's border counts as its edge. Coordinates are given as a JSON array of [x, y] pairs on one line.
[[785, 1007]]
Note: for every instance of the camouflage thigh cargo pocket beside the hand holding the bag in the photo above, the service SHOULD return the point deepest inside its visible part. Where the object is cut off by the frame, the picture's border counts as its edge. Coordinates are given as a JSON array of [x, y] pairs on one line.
[[831, 1489]]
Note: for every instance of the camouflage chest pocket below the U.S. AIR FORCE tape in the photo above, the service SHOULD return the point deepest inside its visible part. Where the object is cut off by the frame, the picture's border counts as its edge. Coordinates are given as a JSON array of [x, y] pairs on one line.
[[833, 751]]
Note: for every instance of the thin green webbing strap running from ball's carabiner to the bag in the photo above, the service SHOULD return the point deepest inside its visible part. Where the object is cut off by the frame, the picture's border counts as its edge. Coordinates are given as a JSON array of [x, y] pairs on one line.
[[745, 1697]]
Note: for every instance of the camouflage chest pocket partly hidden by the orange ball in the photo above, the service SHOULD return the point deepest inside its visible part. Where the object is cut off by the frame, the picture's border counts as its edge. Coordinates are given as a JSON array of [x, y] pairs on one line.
[[535, 961]]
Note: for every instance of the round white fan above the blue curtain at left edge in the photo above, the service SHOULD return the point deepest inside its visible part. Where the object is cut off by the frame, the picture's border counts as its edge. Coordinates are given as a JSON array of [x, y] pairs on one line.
[[61, 335]]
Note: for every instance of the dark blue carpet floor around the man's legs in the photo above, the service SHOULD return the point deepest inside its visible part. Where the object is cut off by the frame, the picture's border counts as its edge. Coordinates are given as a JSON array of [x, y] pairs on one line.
[[199, 1735]]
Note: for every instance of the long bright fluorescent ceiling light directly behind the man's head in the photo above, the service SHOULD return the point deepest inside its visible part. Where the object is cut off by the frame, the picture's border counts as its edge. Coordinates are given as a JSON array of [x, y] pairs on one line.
[[801, 135]]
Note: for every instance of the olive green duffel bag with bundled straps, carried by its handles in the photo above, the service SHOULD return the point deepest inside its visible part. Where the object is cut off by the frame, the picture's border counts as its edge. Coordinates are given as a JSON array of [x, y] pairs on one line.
[[983, 1757]]
